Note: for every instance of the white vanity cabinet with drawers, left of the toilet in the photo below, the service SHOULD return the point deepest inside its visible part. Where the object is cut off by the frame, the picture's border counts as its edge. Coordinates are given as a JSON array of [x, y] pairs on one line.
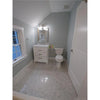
[[41, 53]]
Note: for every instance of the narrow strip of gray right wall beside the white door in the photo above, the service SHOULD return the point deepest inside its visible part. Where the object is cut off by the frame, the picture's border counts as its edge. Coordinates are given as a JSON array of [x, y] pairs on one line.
[[71, 30]]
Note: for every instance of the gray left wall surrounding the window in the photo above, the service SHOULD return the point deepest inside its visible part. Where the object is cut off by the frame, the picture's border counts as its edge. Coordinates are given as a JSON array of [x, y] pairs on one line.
[[29, 33]]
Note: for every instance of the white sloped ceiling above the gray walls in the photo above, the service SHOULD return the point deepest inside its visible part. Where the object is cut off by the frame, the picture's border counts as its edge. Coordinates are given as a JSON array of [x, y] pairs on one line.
[[34, 11]]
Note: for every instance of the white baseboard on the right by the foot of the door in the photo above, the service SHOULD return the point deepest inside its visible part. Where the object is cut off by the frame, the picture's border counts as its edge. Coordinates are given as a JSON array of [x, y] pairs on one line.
[[74, 80]]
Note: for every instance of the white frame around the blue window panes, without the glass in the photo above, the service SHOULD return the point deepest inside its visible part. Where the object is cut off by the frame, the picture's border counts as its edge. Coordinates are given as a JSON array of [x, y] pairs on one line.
[[21, 39]]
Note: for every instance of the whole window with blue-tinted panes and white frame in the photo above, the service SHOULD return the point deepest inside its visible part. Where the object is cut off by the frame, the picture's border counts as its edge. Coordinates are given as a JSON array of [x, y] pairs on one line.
[[19, 49]]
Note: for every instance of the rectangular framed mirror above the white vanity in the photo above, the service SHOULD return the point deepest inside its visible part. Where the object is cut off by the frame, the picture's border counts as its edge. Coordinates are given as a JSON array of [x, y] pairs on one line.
[[43, 35]]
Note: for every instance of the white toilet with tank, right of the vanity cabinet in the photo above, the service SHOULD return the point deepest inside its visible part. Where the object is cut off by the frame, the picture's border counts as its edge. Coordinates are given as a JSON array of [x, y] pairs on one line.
[[59, 57]]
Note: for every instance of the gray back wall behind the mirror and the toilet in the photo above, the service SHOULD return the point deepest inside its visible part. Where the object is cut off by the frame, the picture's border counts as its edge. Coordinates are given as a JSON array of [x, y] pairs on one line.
[[58, 24]]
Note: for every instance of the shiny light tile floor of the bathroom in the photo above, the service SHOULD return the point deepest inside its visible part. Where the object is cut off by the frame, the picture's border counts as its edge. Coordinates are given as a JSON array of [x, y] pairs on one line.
[[48, 82]]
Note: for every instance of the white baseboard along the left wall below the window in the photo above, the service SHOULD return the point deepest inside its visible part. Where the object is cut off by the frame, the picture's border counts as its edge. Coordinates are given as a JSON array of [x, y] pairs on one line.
[[21, 73]]
